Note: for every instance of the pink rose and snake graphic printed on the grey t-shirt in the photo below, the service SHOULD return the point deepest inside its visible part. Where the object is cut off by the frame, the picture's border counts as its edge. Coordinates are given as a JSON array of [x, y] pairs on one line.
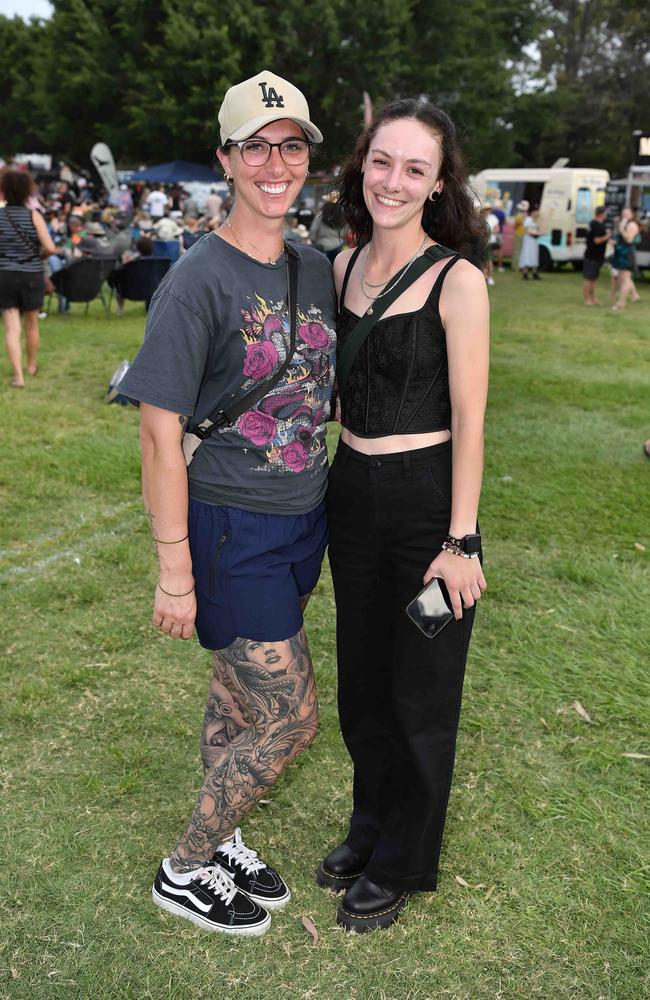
[[287, 426]]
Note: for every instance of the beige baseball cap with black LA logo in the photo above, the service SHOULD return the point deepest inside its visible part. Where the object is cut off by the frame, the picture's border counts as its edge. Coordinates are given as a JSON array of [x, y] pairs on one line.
[[265, 98]]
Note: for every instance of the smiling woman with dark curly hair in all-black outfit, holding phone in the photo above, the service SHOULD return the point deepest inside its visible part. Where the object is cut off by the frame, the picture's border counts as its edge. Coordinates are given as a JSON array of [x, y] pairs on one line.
[[403, 498]]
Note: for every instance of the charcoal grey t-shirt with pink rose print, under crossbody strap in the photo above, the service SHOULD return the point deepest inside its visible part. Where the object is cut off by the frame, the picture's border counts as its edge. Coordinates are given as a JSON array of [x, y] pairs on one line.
[[217, 326]]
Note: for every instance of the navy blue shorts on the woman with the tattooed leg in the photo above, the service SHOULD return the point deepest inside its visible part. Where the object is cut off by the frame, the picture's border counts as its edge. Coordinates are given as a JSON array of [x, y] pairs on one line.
[[251, 571]]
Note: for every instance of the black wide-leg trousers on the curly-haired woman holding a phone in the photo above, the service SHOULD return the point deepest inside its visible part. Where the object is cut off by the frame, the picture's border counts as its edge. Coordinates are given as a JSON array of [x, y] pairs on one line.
[[399, 692]]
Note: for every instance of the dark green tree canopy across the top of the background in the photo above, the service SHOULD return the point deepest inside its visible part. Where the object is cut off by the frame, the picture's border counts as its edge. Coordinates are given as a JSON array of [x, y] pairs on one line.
[[525, 82]]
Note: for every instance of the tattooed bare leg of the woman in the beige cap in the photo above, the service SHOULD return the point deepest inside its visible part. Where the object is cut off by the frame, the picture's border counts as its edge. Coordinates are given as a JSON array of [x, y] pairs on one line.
[[262, 712]]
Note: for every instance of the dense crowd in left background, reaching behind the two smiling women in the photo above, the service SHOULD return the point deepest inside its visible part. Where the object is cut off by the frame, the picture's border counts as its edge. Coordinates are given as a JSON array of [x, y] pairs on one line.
[[69, 217]]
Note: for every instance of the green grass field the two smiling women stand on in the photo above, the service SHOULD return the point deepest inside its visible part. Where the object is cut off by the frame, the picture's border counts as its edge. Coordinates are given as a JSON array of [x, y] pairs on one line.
[[544, 881]]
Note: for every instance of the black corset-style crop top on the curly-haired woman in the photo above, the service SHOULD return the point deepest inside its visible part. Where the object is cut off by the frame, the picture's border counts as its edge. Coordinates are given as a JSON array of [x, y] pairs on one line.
[[399, 380]]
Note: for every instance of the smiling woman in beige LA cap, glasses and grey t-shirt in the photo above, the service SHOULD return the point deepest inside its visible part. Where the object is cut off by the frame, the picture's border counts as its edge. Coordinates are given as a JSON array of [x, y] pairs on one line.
[[240, 342]]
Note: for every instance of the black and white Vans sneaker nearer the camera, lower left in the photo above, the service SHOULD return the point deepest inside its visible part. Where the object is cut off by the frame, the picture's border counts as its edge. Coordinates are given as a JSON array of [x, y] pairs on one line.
[[209, 898]]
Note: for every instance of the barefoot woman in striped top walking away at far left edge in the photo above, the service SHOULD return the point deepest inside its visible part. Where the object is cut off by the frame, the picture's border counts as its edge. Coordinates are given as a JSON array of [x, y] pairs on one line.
[[23, 239]]
